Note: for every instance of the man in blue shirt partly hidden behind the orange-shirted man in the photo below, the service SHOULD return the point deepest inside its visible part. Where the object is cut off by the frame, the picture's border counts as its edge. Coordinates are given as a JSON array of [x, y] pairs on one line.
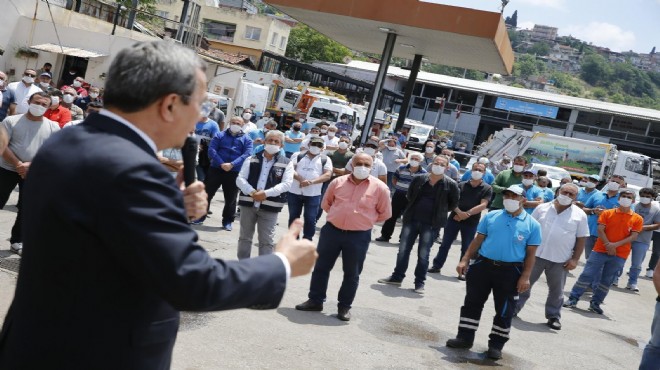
[[607, 198]]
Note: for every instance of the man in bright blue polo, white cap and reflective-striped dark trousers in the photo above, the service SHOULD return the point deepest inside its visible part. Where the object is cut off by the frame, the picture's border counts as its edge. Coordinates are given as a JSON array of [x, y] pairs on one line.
[[503, 252]]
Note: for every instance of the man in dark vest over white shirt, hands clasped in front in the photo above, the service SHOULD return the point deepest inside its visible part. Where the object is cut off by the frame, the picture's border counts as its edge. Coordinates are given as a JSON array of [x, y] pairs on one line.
[[264, 180]]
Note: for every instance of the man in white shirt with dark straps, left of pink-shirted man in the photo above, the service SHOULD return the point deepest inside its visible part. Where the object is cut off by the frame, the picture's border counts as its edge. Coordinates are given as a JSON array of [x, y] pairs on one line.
[[311, 170]]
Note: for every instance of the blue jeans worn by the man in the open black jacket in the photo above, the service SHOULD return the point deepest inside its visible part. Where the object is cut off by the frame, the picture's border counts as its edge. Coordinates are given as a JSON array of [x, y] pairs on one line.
[[409, 233]]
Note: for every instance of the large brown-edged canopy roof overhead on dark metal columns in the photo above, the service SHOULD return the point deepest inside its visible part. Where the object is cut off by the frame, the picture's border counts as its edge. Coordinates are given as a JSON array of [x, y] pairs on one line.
[[444, 34]]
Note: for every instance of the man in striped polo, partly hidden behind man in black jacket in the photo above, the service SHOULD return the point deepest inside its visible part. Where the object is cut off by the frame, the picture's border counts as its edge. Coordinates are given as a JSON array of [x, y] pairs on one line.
[[402, 178]]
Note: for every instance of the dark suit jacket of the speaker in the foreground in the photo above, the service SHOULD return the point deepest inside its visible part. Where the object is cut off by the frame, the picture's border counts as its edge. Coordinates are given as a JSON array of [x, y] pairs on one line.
[[109, 259]]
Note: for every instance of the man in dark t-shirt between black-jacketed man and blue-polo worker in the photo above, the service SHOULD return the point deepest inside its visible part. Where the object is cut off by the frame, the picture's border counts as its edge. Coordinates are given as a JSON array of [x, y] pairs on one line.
[[475, 195]]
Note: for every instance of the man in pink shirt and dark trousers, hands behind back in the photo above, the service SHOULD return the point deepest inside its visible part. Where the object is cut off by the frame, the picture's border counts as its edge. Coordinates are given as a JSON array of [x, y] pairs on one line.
[[354, 203]]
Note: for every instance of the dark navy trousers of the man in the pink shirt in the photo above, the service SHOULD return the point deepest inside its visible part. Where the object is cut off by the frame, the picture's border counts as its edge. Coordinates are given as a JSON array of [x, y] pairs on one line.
[[353, 246]]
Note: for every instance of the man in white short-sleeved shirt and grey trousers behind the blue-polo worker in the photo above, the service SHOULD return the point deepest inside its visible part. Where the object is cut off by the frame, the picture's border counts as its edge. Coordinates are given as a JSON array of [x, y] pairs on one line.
[[564, 230]]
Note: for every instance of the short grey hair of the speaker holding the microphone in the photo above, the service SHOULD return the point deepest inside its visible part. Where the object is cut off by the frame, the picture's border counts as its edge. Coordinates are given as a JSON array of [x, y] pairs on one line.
[[145, 72]]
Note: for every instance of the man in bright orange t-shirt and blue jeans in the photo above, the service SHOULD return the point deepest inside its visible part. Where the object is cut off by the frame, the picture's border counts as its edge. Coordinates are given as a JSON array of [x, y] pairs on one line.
[[617, 228]]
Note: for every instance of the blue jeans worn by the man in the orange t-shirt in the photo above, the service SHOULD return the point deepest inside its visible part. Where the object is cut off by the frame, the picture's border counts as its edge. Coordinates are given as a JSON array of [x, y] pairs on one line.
[[611, 267]]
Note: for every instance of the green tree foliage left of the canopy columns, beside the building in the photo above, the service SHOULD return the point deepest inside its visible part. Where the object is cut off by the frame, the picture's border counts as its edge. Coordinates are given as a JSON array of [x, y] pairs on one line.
[[308, 45]]
